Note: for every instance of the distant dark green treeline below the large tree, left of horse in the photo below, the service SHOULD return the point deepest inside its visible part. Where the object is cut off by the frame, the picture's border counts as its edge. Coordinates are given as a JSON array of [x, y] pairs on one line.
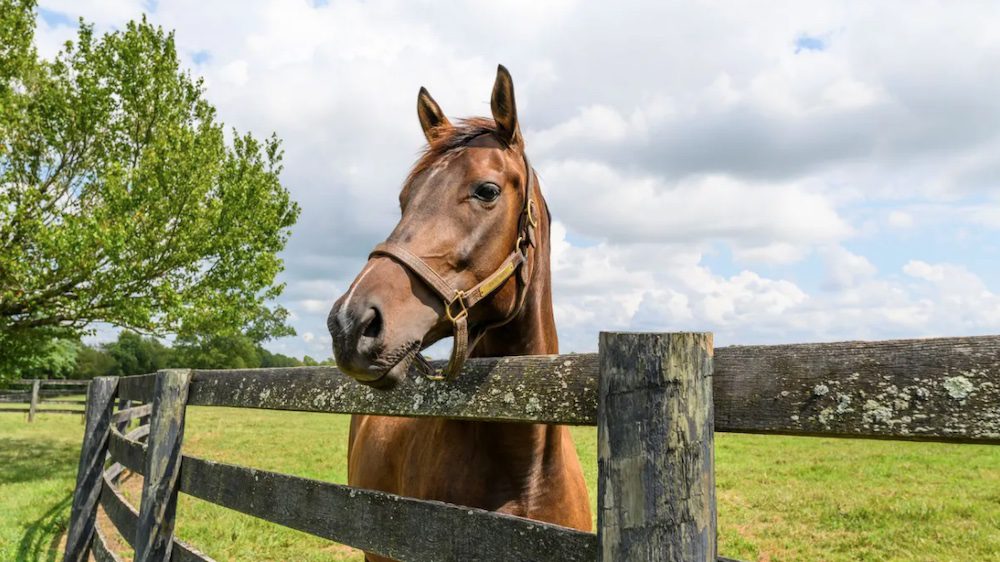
[[134, 354]]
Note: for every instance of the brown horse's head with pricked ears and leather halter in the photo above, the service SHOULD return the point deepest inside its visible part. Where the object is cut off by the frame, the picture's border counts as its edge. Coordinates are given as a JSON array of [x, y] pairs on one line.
[[459, 261]]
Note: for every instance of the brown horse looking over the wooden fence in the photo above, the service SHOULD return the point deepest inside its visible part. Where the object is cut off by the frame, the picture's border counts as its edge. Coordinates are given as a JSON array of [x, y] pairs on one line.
[[468, 258]]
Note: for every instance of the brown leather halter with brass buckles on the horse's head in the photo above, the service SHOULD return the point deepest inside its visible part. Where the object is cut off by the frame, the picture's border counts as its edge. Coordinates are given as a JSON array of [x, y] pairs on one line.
[[457, 302]]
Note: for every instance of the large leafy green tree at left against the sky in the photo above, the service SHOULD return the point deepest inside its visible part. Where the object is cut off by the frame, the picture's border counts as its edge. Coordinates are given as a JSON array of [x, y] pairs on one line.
[[120, 199]]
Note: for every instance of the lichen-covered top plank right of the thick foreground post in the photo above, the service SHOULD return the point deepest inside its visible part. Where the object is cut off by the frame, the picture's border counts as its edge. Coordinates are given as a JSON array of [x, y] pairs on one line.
[[945, 389]]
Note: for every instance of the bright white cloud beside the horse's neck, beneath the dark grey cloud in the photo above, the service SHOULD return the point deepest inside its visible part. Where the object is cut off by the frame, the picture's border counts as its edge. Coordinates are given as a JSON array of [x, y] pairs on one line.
[[598, 201]]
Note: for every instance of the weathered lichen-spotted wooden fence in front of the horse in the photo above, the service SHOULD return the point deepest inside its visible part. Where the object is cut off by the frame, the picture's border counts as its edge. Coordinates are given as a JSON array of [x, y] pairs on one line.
[[657, 400]]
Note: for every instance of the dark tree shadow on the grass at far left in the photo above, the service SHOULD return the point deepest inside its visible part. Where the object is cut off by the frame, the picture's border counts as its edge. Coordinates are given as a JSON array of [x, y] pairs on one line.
[[25, 460]]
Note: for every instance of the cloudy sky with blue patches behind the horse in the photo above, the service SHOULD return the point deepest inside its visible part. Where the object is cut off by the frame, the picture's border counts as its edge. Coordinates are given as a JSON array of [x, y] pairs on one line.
[[773, 172]]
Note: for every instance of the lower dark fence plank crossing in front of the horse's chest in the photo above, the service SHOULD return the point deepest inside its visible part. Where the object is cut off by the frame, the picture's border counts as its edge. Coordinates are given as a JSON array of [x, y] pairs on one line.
[[395, 526]]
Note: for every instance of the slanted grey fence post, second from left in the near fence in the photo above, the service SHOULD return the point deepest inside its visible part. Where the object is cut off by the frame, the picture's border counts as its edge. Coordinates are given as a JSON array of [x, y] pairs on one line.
[[155, 528]]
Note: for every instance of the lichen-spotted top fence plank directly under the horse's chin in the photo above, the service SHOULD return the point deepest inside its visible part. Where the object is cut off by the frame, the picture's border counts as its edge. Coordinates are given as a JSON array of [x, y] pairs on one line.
[[548, 389]]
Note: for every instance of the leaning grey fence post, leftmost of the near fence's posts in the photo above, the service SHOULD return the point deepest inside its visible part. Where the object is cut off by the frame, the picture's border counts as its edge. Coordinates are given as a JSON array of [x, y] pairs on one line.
[[100, 402]]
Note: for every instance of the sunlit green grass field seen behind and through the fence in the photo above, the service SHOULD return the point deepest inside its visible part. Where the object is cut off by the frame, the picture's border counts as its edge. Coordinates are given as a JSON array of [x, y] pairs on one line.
[[780, 498]]
